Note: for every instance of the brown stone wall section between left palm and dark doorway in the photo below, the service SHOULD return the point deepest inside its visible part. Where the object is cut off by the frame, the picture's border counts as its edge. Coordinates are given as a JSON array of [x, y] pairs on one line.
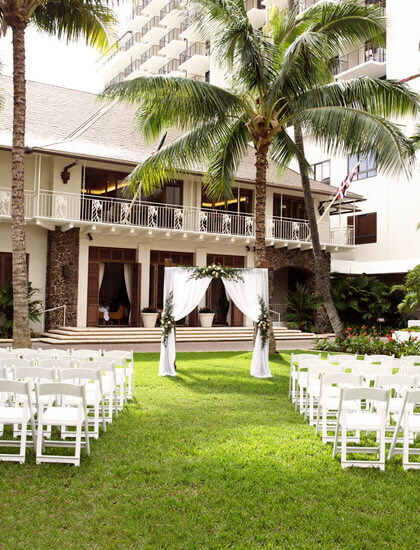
[[62, 276]]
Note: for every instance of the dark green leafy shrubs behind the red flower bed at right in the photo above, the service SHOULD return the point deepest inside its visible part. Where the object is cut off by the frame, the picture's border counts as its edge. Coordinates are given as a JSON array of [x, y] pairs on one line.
[[364, 299]]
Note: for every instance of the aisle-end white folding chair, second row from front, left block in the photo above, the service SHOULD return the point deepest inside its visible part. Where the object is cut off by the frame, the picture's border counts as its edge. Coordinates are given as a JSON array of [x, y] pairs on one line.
[[92, 378]]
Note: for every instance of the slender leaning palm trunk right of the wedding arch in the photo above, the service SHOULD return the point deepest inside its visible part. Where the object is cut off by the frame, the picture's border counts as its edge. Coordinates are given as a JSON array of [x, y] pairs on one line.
[[320, 272]]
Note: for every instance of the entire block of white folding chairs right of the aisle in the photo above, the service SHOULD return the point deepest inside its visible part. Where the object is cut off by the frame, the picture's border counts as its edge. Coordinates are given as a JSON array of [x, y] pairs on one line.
[[341, 395]]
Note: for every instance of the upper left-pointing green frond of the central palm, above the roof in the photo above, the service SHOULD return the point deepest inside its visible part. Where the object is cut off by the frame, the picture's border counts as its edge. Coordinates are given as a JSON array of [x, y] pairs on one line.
[[174, 102]]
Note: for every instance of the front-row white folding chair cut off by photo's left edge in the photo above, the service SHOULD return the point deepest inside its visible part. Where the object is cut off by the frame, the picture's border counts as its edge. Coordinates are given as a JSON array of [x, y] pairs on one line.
[[13, 414]]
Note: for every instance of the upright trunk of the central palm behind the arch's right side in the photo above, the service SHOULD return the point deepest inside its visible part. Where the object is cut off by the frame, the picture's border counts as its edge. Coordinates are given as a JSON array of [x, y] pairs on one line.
[[261, 164]]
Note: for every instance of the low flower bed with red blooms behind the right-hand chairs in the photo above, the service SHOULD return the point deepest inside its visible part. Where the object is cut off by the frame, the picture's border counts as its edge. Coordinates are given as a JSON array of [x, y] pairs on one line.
[[369, 342]]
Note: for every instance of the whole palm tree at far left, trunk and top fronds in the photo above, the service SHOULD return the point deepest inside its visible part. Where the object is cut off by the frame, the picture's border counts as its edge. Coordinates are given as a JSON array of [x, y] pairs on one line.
[[69, 19]]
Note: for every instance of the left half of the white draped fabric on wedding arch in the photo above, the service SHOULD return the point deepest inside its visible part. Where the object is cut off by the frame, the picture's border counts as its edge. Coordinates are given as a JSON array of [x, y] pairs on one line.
[[187, 294]]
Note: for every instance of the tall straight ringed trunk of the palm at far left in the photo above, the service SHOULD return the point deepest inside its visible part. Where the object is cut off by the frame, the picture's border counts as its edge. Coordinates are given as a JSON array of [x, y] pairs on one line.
[[21, 331]]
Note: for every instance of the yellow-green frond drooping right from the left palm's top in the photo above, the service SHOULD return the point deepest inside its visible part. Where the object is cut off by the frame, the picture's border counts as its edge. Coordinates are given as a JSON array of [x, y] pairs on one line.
[[75, 19]]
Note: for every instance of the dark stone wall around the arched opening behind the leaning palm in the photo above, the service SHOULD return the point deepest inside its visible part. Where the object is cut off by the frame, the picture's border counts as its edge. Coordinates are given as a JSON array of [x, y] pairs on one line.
[[283, 257]]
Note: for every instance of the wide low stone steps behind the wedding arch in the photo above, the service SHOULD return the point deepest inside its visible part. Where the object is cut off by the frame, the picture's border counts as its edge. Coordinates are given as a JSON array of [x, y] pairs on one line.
[[126, 335]]
